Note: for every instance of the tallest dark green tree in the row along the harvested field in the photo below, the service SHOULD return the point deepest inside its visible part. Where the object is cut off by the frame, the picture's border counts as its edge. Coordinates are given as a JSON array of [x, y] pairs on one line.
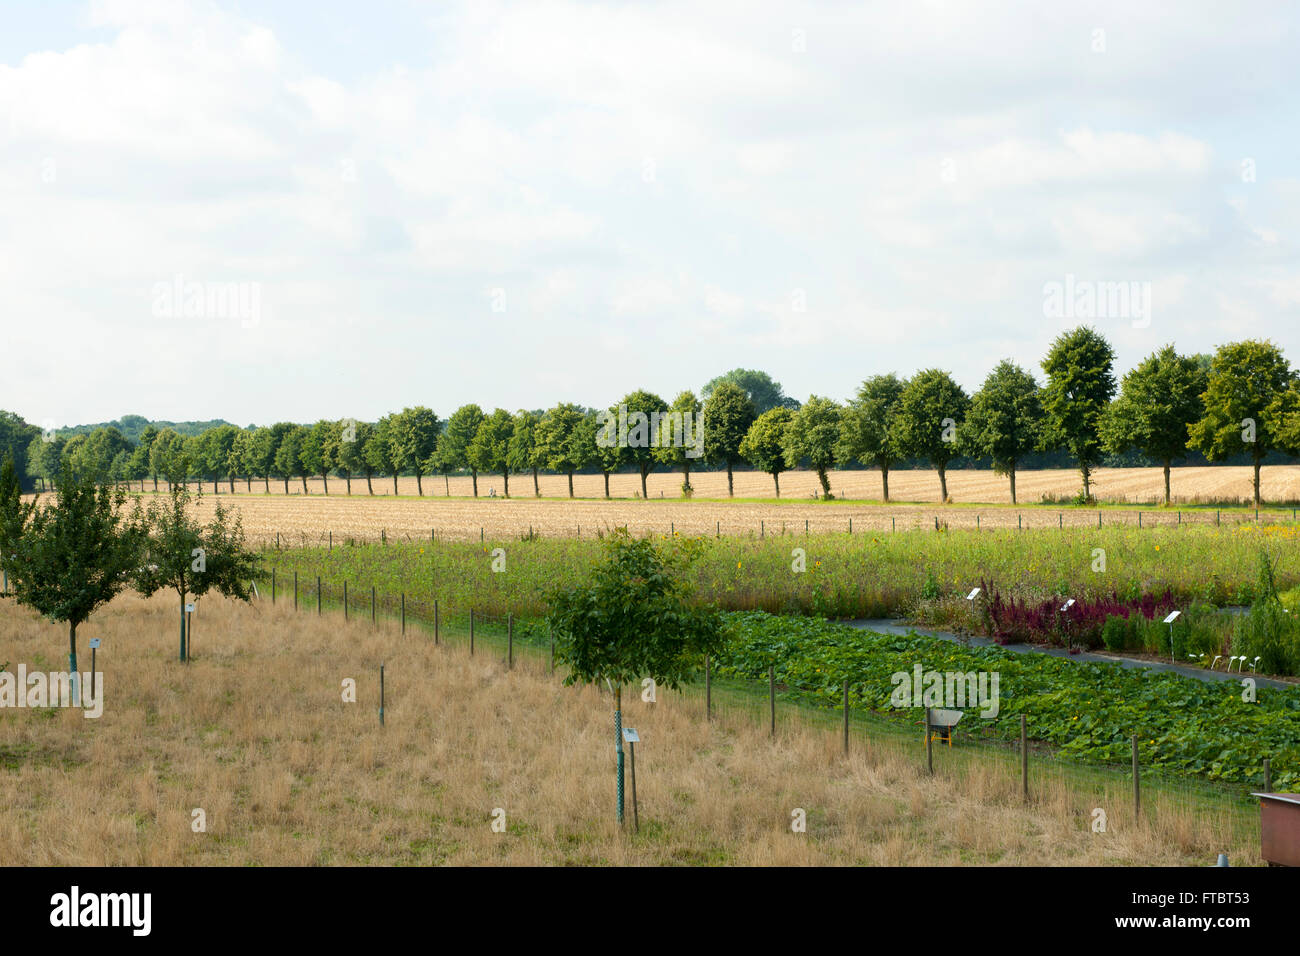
[[1080, 386]]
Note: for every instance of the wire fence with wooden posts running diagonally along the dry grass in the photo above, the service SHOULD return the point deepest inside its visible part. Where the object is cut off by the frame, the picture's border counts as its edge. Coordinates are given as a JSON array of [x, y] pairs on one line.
[[977, 759]]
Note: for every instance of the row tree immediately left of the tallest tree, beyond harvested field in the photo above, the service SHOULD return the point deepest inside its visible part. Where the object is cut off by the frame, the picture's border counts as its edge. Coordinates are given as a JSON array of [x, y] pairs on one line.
[[1004, 421]]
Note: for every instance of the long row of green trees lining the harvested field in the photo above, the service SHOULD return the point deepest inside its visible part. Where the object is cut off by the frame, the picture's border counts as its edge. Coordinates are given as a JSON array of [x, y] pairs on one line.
[[1242, 401]]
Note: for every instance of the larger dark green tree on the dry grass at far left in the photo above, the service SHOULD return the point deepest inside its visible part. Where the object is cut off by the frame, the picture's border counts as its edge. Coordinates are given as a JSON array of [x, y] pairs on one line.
[[72, 556]]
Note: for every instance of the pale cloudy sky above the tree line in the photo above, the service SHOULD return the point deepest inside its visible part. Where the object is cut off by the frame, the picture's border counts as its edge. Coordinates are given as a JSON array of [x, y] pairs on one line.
[[302, 211]]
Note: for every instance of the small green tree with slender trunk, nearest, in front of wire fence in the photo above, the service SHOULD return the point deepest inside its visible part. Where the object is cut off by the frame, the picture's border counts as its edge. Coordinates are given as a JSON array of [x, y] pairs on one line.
[[634, 620]]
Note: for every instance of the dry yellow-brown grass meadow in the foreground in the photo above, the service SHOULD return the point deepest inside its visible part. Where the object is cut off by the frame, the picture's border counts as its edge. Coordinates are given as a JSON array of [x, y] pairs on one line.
[[254, 732]]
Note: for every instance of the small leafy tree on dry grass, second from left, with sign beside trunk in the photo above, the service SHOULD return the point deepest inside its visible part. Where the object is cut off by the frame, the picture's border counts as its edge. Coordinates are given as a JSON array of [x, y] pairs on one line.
[[192, 559]]
